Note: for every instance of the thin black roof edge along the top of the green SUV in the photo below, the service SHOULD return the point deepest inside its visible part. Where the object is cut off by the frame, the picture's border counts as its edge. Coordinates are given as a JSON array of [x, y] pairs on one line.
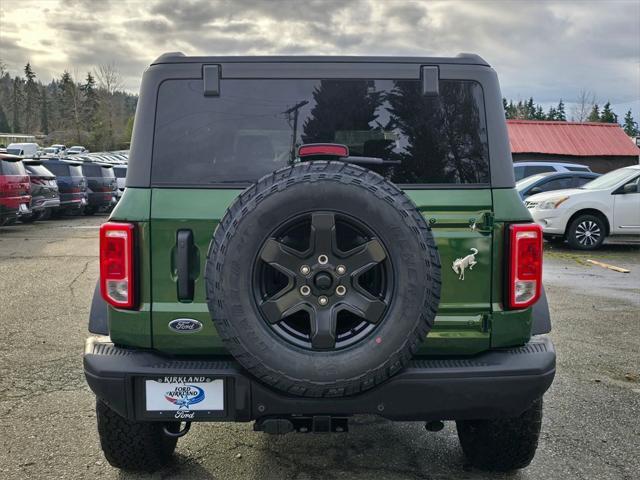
[[179, 57]]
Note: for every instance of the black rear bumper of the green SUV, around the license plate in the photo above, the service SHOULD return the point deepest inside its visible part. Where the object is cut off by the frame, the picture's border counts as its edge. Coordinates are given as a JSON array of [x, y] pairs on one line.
[[499, 383]]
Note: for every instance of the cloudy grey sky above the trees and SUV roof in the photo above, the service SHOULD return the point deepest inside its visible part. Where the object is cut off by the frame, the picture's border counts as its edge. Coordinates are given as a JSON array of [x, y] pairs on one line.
[[547, 49]]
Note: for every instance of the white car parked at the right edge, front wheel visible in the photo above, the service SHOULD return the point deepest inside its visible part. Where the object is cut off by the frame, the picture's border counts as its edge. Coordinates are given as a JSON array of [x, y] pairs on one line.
[[608, 205]]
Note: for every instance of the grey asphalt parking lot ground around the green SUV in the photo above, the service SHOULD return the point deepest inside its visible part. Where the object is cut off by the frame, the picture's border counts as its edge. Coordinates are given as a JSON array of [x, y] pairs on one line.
[[47, 276]]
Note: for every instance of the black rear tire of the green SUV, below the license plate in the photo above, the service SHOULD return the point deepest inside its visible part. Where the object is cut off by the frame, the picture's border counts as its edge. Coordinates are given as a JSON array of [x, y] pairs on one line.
[[130, 445]]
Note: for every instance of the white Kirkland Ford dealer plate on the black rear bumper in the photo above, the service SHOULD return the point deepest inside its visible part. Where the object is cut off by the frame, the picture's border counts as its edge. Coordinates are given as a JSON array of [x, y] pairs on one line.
[[184, 394]]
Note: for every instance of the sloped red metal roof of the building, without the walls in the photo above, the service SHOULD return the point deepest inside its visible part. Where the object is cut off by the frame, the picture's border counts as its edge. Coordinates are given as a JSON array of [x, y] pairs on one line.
[[569, 138]]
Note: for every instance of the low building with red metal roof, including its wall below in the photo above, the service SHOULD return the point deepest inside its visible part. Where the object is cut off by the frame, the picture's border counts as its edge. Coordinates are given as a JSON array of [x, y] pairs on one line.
[[602, 146]]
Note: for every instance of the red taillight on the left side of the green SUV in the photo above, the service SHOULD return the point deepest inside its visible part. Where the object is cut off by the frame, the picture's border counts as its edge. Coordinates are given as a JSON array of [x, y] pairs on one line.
[[116, 264]]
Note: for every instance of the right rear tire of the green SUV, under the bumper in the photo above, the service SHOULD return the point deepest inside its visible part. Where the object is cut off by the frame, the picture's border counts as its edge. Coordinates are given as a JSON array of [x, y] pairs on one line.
[[503, 444]]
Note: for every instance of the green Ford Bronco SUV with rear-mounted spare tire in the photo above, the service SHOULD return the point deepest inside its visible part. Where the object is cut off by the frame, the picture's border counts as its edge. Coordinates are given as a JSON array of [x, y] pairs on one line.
[[304, 239]]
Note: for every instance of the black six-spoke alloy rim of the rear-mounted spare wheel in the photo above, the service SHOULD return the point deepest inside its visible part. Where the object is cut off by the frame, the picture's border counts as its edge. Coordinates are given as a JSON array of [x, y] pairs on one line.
[[323, 281]]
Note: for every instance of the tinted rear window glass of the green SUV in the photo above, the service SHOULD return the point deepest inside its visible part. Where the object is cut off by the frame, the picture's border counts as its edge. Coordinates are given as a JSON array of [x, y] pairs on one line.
[[255, 126]]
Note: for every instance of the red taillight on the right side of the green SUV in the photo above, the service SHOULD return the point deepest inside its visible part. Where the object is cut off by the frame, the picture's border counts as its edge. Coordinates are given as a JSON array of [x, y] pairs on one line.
[[525, 267]]
